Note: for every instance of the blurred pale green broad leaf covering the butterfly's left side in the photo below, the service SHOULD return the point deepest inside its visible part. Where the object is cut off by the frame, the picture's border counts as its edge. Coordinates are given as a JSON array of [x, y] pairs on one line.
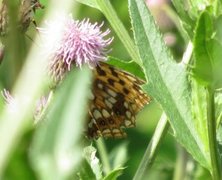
[[56, 148]]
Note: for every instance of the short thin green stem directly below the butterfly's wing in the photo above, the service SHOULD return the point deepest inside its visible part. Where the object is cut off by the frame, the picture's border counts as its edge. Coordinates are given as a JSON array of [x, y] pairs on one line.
[[104, 155]]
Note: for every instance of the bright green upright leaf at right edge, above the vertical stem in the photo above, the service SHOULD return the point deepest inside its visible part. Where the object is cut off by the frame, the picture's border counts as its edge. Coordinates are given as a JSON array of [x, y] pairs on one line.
[[207, 52]]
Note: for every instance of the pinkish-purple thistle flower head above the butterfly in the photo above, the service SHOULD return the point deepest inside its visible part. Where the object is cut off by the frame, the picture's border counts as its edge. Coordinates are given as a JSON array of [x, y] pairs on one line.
[[80, 42]]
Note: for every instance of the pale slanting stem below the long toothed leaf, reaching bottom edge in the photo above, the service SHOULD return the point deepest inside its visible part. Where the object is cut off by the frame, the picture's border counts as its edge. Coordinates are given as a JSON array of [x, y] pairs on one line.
[[151, 151]]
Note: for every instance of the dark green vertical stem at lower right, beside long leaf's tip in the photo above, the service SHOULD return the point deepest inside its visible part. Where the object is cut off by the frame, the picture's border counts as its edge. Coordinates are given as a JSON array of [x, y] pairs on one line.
[[211, 123]]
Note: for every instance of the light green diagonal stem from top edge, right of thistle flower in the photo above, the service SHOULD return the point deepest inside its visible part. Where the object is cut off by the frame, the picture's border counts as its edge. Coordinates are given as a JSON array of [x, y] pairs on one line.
[[111, 15]]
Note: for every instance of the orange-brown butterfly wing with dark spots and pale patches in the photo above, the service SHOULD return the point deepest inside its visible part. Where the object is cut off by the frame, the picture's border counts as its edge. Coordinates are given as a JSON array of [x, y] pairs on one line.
[[117, 98]]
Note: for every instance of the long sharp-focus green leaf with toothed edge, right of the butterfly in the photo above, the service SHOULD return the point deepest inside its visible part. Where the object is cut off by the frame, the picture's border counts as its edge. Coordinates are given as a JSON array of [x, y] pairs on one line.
[[167, 81]]
